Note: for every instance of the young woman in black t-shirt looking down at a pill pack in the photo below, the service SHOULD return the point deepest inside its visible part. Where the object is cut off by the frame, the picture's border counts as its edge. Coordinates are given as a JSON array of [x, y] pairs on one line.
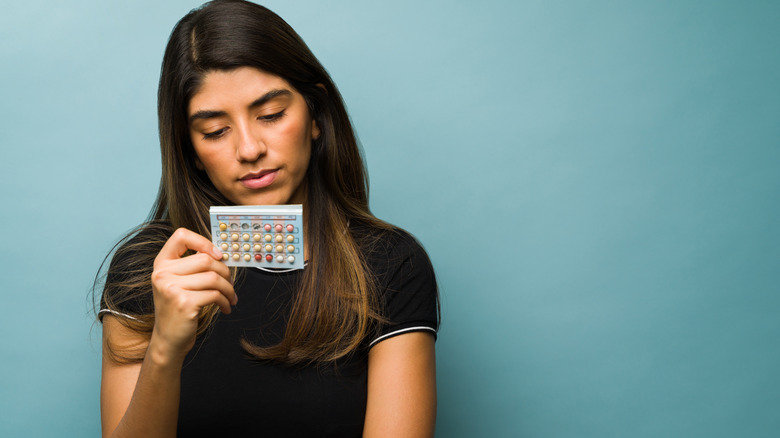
[[344, 347]]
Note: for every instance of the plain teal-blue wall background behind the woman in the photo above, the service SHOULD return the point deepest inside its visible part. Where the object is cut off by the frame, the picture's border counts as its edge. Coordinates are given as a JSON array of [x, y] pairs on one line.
[[597, 184]]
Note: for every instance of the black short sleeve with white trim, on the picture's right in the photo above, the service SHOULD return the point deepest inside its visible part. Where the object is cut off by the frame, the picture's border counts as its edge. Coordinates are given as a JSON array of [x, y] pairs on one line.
[[408, 288]]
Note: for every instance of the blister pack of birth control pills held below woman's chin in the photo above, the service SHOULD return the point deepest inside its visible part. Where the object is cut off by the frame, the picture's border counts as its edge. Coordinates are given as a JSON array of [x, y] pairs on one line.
[[261, 236]]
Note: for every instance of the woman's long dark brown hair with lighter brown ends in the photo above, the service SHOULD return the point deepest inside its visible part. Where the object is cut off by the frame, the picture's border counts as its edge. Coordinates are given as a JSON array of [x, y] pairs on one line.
[[336, 306]]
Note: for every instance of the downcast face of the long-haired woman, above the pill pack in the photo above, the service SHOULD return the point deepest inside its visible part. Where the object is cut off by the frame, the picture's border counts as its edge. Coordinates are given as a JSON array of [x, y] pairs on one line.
[[252, 134]]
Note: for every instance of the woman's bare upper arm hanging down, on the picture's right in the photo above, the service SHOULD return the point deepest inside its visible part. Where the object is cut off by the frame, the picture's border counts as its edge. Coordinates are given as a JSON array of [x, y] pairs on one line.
[[402, 387]]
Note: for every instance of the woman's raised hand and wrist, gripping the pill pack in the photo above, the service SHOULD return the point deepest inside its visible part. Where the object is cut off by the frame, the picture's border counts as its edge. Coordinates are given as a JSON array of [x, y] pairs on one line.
[[182, 286]]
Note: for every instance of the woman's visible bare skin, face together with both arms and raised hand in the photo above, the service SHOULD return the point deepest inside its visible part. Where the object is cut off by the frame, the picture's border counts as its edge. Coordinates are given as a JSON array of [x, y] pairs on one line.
[[245, 122]]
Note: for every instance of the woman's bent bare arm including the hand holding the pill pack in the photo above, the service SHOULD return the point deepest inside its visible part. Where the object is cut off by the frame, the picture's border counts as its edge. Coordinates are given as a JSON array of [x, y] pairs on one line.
[[143, 399]]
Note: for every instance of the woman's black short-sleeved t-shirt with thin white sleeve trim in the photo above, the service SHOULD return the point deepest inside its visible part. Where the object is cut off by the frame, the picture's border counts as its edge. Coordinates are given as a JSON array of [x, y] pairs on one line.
[[224, 392]]
